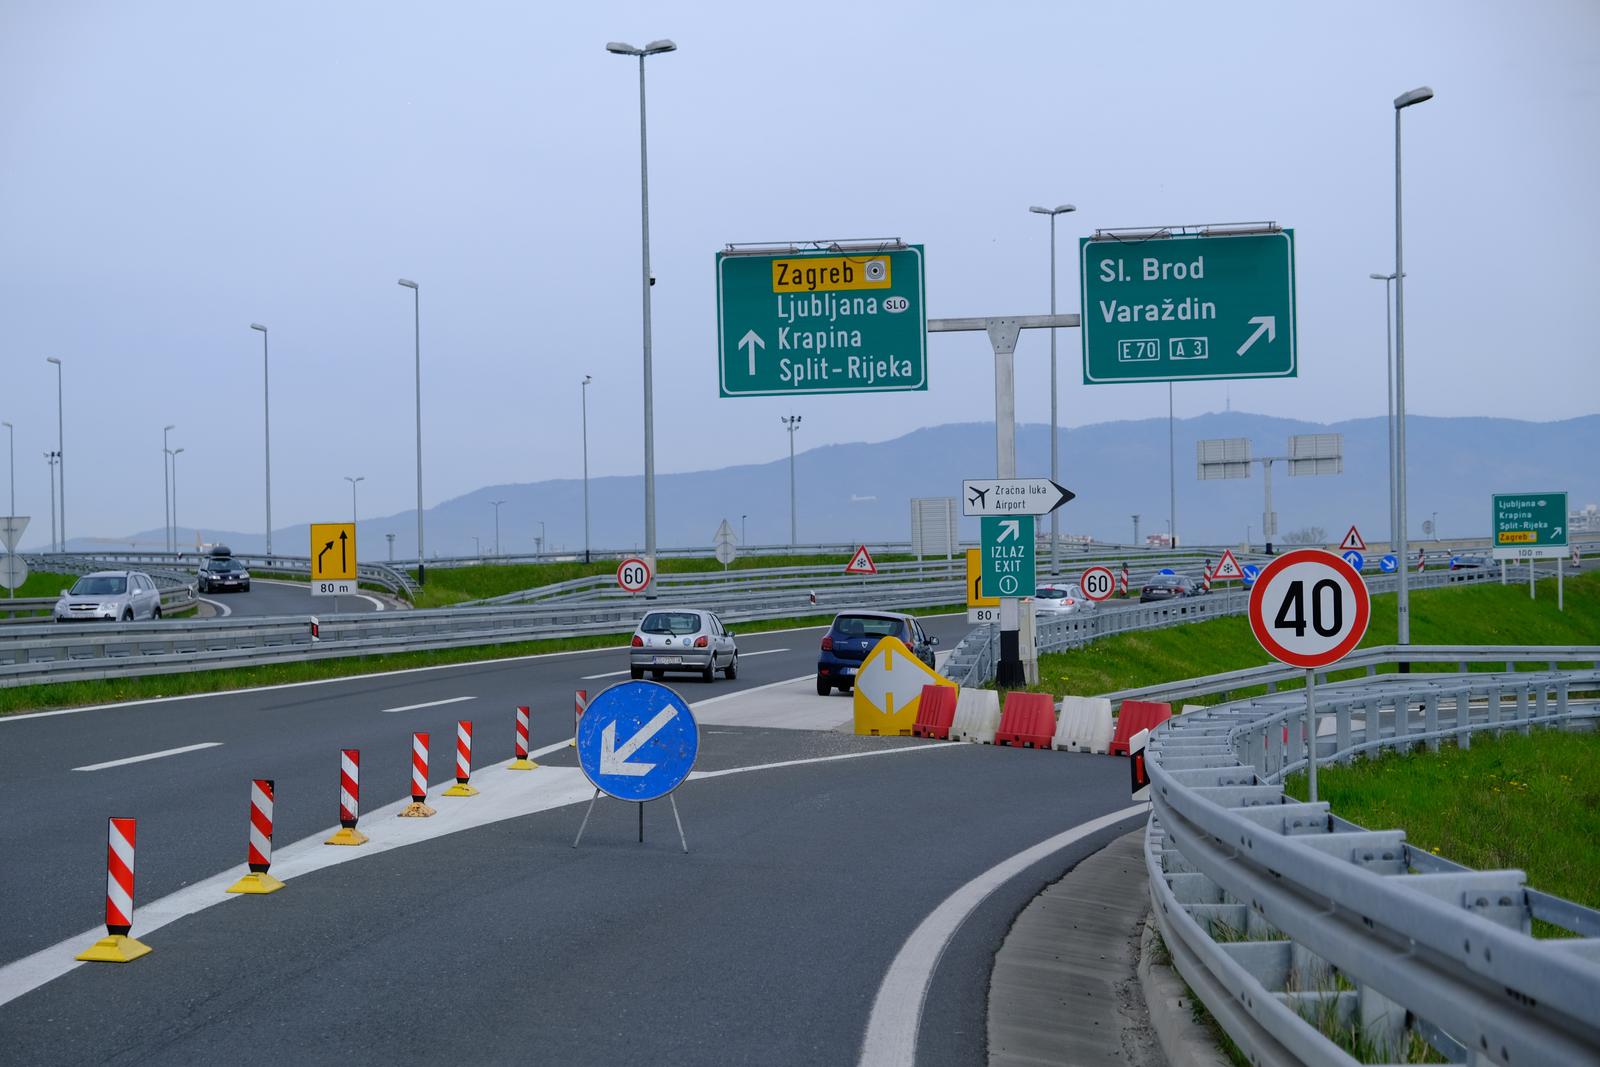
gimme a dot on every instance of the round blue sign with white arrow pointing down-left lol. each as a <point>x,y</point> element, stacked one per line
<point>638,741</point>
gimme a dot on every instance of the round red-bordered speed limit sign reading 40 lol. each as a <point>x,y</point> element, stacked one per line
<point>1310,609</point>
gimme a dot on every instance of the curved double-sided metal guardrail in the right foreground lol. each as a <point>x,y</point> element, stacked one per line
<point>1281,914</point>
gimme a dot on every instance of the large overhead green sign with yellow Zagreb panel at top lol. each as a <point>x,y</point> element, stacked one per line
<point>820,322</point>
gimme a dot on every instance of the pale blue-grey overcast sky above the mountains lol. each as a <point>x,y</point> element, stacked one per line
<point>174,172</point>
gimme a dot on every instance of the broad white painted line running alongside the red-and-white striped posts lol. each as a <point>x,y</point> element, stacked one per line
<point>503,796</point>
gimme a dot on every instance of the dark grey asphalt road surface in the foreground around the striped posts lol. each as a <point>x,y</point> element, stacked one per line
<point>500,941</point>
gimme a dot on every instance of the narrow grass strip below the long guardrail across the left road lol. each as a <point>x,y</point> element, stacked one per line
<point>30,698</point>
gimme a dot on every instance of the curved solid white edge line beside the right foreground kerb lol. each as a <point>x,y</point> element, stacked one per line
<point>897,1010</point>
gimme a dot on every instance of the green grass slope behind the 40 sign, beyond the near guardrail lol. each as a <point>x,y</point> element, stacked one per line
<point>1471,615</point>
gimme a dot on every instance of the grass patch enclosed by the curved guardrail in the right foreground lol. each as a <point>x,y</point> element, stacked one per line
<point>1522,802</point>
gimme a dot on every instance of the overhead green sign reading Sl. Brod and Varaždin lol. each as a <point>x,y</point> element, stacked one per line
<point>1162,310</point>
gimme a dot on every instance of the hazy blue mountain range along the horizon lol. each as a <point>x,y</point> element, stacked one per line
<point>862,494</point>
